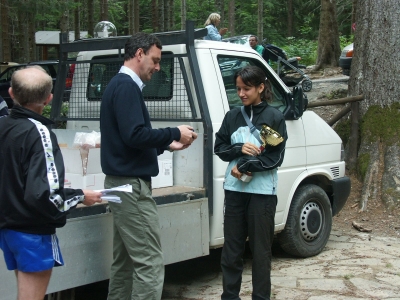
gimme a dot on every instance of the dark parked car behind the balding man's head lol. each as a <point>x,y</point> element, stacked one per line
<point>51,67</point>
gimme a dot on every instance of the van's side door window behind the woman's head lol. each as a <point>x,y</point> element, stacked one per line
<point>229,65</point>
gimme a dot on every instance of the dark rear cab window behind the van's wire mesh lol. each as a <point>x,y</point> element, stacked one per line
<point>105,68</point>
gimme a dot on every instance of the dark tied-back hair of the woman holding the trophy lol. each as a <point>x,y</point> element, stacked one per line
<point>254,76</point>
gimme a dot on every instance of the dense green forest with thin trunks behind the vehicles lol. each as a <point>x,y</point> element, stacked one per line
<point>290,24</point>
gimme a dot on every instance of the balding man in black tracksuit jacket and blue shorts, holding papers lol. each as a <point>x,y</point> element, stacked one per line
<point>33,200</point>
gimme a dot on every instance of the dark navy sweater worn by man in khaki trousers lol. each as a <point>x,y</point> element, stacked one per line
<point>129,146</point>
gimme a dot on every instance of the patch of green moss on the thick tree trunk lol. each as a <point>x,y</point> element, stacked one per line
<point>382,123</point>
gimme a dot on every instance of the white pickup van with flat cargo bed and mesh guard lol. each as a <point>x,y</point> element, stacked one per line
<point>195,86</point>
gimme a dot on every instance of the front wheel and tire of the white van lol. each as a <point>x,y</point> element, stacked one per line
<point>309,222</point>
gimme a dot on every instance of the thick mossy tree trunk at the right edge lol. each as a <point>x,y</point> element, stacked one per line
<point>375,73</point>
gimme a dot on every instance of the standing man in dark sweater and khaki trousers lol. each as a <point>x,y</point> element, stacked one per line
<point>129,150</point>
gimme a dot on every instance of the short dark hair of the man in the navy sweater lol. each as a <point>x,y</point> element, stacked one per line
<point>140,40</point>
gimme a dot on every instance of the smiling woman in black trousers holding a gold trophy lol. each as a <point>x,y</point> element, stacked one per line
<point>252,139</point>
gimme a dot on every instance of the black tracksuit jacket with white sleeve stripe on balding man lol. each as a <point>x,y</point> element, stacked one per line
<point>32,194</point>
